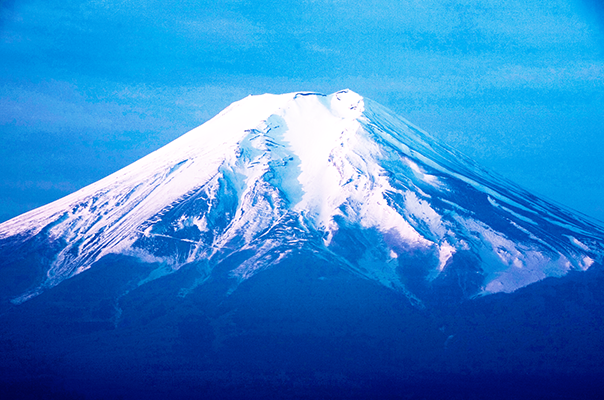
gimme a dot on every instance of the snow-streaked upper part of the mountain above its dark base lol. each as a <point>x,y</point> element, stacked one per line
<point>338,175</point>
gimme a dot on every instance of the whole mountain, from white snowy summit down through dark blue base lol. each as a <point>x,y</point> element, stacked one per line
<point>302,243</point>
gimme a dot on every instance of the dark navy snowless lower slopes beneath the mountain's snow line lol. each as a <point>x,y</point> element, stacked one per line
<point>299,331</point>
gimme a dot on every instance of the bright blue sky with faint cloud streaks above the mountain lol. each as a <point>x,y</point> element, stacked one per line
<point>88,86</point>
